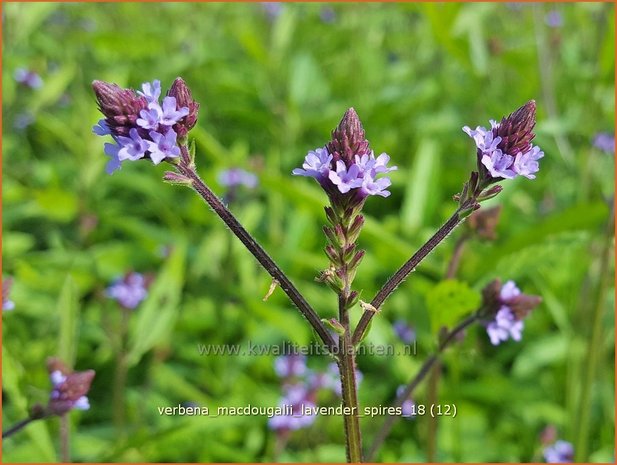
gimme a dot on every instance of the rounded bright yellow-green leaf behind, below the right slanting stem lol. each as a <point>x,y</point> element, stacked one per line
<point>449,301</point>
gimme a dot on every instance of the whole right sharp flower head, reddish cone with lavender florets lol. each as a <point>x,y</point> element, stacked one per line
<point>505,150</point>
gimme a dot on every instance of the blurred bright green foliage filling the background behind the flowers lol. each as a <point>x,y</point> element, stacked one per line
<point>272,86</point>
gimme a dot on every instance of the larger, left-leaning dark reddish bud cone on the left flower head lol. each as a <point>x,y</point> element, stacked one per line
<point>121,107</point>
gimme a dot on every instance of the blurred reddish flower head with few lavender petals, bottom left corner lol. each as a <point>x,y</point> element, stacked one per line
<point>69,388</point>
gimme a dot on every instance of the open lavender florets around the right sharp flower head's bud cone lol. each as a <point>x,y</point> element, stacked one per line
<point>502,158</point>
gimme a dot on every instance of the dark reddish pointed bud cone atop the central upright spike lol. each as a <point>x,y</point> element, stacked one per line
<point>348,139</point>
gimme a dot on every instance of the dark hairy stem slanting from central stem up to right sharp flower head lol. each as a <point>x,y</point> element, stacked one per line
<point>404,271</point>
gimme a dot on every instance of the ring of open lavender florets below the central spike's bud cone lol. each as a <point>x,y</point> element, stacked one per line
<point>359,174</point>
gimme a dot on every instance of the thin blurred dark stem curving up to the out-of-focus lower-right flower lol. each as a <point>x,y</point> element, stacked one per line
<point>424,370</point>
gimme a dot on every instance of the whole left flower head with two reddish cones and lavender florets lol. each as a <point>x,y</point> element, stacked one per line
<point>139,125</point>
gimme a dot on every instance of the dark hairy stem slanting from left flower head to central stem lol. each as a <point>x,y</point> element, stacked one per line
<point>258,252</point>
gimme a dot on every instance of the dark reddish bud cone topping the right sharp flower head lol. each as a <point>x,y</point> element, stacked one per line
<point>516,130</point>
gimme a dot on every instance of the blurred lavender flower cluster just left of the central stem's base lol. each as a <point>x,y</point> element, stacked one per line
<point>300,388</point>
